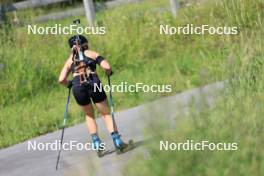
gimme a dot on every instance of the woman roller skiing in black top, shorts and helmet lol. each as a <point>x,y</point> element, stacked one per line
<point>82,63</point>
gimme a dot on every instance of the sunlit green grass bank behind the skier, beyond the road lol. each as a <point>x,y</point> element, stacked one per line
<point>32,102</point>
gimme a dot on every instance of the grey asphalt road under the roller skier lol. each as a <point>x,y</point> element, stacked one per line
<point>17,160</point>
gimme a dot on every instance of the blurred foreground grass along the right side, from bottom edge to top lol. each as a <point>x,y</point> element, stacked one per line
<point>236,118</point>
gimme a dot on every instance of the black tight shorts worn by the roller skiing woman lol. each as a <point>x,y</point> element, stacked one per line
<point>85,92</point>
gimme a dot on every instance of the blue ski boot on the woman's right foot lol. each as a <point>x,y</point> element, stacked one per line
<point>121,146</point>
